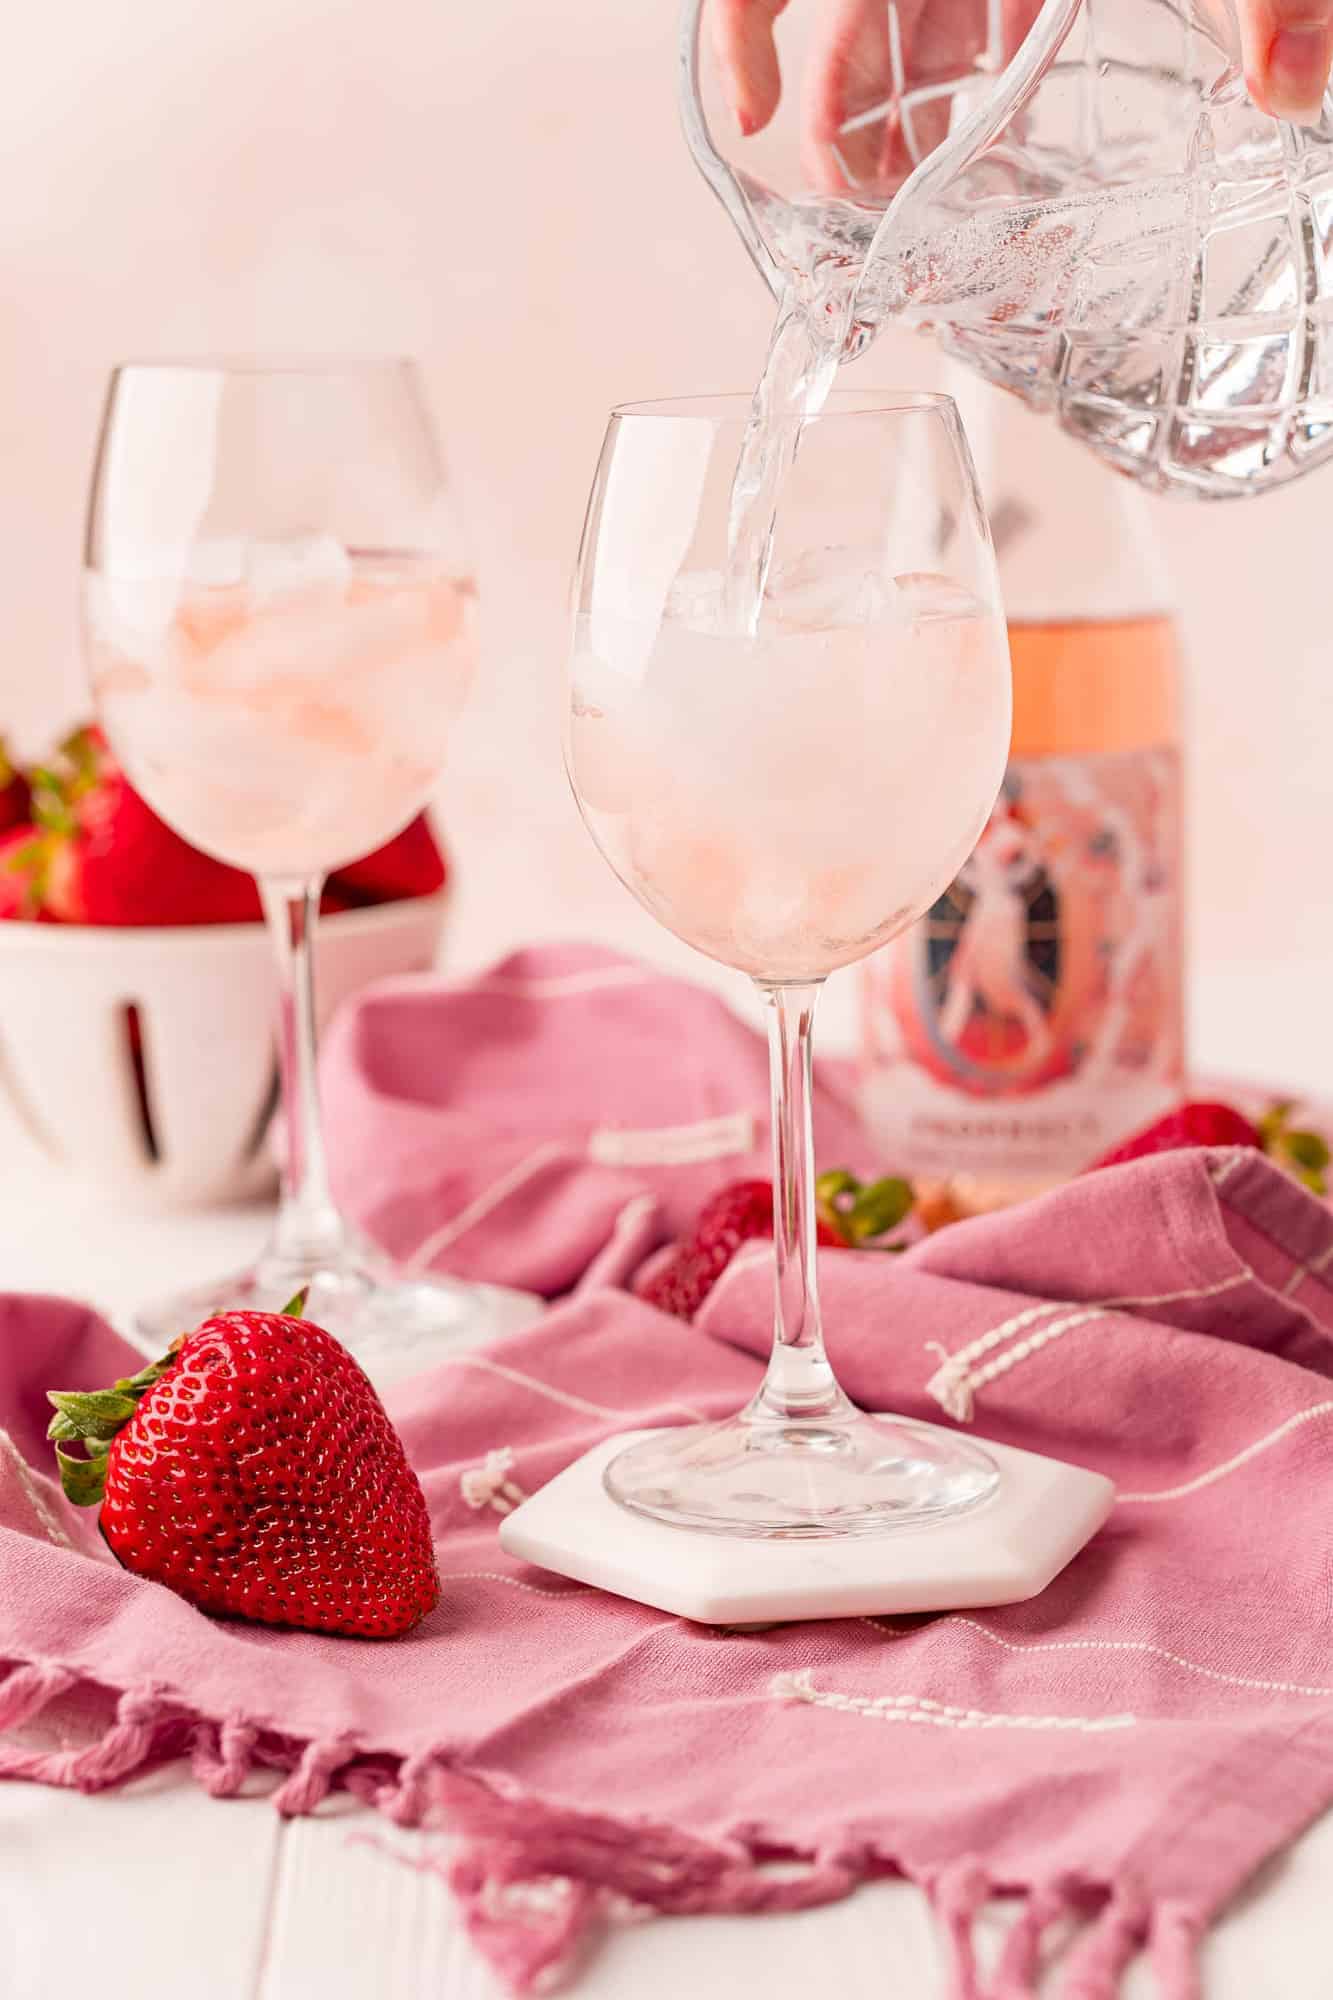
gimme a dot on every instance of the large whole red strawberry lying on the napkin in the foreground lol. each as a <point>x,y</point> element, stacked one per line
<point>253,1471</point>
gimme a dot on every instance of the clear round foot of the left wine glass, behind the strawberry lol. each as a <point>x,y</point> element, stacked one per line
<point>393,1325</point>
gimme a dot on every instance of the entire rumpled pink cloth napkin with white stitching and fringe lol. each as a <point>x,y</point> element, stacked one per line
<point>1118,1757</point>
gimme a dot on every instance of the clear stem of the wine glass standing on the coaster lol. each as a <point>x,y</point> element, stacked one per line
<point>800,1383</point>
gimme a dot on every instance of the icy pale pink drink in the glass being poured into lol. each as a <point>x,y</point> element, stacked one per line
<point>792,801</point>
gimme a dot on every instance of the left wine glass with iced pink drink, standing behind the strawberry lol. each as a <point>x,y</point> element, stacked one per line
<point>281,633</point>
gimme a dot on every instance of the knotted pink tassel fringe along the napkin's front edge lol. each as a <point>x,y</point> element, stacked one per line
<point>537,1881</point>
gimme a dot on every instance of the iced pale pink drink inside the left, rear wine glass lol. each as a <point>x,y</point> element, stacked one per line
<point>285,731</point>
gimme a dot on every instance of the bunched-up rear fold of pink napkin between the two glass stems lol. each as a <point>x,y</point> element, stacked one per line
<point>501,1127</point>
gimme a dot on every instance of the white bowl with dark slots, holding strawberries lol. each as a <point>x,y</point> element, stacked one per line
<point>205,1001</point>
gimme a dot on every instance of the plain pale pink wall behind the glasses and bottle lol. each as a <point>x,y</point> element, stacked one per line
<point>503,191</point>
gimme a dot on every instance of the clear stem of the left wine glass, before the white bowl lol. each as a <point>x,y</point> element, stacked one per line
<point>309,1231</point>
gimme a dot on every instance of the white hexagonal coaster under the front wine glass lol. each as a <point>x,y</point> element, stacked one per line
<point>1000,1553</point>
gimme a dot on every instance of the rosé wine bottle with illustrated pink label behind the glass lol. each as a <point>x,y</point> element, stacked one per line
<point>1036,1015</point>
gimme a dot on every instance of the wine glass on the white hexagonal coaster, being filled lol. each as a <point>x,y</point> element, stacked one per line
<point>788,785</point>
